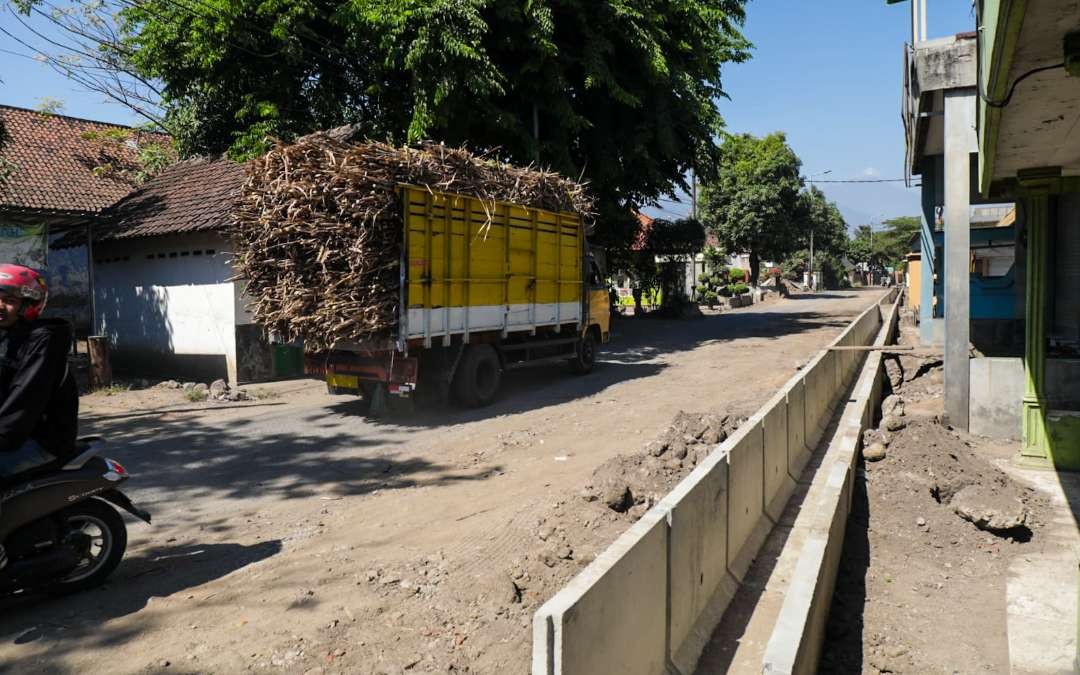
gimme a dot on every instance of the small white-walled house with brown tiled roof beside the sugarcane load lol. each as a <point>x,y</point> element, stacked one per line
<point>165,290</point>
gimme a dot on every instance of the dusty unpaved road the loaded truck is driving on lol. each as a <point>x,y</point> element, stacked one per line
<point>293,535</point>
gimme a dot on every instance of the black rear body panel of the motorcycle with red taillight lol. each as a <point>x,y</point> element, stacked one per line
<point>53,492</point>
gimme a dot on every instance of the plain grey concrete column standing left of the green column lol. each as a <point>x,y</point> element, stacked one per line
<point>960,143</point>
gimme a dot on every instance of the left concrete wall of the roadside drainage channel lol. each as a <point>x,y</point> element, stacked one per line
<point>652,601</point>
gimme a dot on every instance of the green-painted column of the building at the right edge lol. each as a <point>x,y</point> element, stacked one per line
<point>1037,223</point>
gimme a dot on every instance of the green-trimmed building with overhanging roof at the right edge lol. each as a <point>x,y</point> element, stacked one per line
<point>1029,128</point>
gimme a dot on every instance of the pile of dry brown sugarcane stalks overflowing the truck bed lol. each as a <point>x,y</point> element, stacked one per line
<point>318,232</point>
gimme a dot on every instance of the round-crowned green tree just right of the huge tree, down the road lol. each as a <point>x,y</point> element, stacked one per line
<point>753,202</point>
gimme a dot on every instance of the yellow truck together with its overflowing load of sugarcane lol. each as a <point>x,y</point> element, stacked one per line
<point>428,267</point>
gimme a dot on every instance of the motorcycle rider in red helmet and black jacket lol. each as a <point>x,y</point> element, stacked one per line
<point>39,399</point>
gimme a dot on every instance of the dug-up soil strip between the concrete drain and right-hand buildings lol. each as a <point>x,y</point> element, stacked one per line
<point>921,589</point>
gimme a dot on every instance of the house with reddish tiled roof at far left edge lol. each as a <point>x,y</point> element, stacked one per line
<point>58,173</point>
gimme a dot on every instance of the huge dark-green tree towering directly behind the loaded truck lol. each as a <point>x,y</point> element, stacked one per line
<point>623,93</point>
